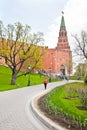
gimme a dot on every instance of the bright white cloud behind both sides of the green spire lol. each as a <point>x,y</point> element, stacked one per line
<point>75,14</point>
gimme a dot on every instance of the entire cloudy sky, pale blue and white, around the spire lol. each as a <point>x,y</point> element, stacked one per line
<point>45,16</point>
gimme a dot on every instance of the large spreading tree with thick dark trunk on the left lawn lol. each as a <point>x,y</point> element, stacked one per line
<point>18,45</point>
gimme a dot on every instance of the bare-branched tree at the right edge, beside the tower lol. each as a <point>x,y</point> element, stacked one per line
<point>81,45</point>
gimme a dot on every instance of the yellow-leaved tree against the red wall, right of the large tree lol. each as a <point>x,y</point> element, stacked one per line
<point>36,61</point>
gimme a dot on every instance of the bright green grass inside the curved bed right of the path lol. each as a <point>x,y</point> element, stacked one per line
<point>57,102</point>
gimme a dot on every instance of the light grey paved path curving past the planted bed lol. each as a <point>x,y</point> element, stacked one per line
<point>15,110</point>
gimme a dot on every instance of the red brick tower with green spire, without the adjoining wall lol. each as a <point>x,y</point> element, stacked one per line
<point>64,53</point>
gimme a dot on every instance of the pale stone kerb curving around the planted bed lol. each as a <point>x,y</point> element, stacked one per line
<point>40,115</point>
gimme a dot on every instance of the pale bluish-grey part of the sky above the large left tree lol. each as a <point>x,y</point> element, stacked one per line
<point>39,14</point>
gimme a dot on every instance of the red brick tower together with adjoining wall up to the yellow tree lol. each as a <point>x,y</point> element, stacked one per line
<point>59,60</point>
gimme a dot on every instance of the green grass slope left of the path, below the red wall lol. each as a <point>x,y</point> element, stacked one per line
<point>5,79</point>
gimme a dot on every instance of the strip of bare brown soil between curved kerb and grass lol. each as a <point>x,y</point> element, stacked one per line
<point>60,119</point>
